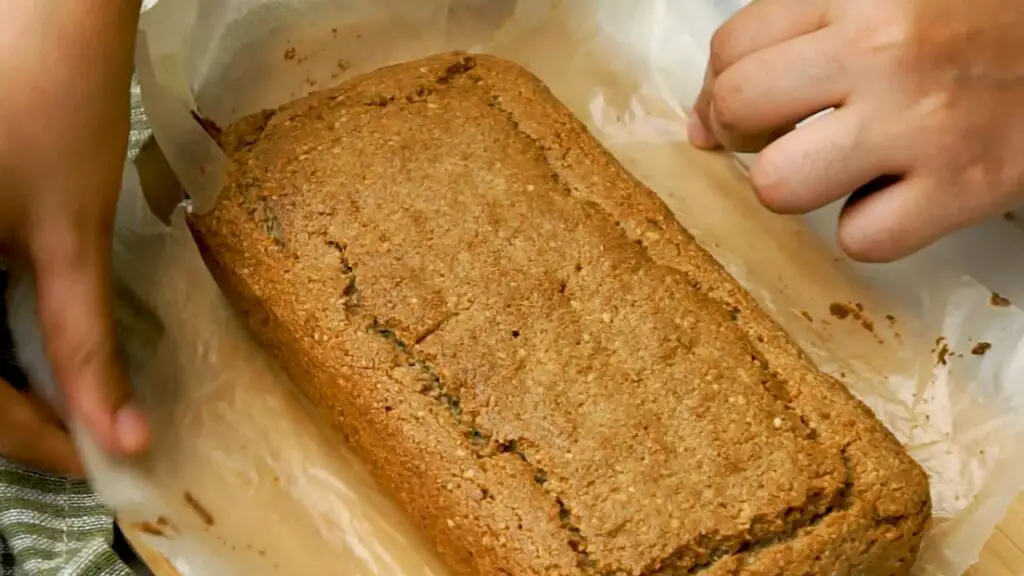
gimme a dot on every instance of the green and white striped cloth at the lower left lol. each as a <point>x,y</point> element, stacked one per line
<point>53,526</point>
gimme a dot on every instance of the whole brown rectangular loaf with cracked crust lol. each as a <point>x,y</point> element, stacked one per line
<point>540,364</point>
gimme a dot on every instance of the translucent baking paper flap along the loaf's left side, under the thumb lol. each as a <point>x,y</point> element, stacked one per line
<point>240,481</point>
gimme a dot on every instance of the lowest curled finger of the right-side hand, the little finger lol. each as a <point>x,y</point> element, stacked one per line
<point>904,219</point>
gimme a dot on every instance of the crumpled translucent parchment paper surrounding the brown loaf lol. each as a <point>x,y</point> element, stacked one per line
<point>901,337</point>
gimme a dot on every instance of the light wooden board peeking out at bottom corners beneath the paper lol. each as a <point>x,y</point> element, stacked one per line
<point>1003,557</point>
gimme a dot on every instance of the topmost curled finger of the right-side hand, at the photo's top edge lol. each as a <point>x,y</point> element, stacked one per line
<point>763,24</point>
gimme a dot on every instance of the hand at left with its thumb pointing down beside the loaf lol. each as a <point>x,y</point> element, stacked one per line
<point>64,129</point>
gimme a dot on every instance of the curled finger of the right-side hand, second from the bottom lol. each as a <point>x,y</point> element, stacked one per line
<point>824,161</point>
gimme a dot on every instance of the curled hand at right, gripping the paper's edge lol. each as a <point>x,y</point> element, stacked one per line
<point>928,132</point>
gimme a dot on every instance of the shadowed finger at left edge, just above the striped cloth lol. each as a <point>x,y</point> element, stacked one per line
<point>30,438</point>
